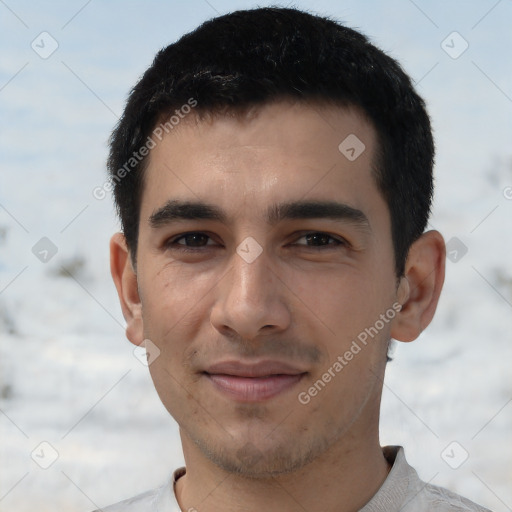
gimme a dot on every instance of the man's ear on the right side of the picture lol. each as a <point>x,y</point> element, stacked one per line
<point>420,287</point>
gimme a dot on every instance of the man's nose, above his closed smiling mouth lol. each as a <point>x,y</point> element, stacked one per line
<point>250,301</point>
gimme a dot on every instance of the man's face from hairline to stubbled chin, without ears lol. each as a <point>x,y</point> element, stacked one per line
<point>265,271</point>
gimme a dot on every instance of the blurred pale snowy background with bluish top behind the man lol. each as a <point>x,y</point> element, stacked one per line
<point>69,378</point>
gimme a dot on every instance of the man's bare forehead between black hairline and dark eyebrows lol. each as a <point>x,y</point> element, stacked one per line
<point>277,153</point>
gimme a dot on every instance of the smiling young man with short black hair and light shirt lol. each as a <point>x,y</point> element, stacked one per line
<point>273,175</point>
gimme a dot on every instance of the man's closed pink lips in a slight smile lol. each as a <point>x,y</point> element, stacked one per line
<point>253,382</point>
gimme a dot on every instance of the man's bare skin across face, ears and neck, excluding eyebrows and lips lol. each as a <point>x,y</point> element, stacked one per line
<point>297,302</point>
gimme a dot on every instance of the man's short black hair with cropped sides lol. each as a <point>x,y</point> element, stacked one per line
<point>258,56</point>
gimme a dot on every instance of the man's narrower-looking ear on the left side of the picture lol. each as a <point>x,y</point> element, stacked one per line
<point>125,279</point>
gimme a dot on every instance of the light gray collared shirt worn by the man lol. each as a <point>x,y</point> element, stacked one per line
<point>402,491</point>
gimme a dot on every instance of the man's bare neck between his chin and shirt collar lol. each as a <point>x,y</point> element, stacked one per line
<point>342,479</point>
